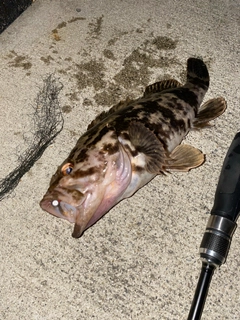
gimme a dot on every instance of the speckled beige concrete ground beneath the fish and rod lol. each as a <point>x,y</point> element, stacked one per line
<point>141,260</point>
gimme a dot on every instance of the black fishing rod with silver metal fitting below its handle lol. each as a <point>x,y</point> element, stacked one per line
<point>221,225</point>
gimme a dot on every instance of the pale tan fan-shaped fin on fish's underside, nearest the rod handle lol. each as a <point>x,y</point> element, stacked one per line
<point>184,157</point>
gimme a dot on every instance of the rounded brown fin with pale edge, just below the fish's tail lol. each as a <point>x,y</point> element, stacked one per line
<point>208,111</point>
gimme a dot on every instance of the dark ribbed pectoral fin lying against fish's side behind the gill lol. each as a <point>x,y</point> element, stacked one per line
<point>146,142</point>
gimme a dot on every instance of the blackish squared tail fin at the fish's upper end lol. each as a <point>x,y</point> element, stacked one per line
<point>197,72</point>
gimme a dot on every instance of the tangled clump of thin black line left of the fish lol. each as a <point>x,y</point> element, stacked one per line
<point>48,122</point>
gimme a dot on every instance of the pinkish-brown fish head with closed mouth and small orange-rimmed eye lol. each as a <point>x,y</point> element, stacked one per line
<point>82,192</point>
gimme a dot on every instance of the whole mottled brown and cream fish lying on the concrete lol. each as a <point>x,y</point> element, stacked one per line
<point>126,147</point>
